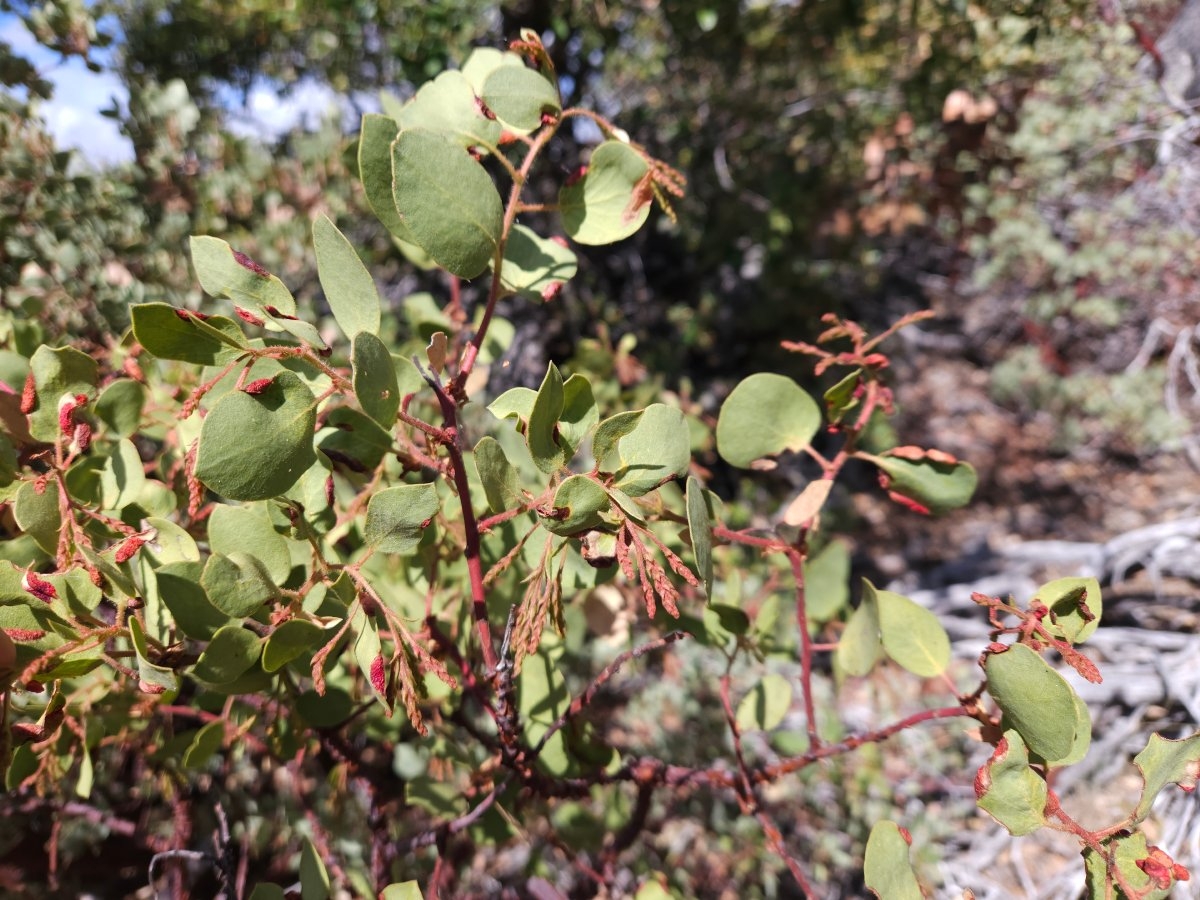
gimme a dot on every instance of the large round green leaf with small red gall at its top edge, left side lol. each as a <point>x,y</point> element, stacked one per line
<point>281,419</point>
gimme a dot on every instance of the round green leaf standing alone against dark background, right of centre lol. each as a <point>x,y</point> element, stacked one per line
<point>765,416</point>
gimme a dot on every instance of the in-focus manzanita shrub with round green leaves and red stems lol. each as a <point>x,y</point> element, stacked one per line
<point>242,535</point>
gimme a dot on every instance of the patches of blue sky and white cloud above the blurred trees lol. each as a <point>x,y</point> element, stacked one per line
<point>74,117</point>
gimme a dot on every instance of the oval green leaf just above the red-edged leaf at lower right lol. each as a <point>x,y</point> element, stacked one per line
<point>1035,700</point>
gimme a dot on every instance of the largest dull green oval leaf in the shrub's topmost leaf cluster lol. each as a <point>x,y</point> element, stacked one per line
<point>448,202</point>
